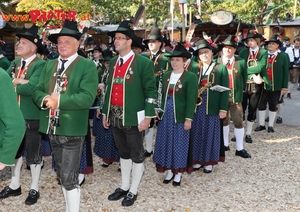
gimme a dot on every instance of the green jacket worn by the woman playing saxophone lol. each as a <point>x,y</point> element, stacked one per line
<point>216,101</point>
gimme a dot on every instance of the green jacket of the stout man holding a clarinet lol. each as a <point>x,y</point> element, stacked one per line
<point>74,101</point>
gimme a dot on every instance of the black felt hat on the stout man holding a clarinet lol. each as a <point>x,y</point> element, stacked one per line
<point>69,28</point>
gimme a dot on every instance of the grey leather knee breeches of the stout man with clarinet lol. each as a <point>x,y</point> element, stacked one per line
<point>67,155</point>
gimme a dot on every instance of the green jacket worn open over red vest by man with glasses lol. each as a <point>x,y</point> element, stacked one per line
<point>138,85</point>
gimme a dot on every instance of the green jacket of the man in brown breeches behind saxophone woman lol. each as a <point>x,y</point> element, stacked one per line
<point>239,77</point>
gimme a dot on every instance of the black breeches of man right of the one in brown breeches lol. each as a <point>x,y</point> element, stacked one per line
<point>251,98</point>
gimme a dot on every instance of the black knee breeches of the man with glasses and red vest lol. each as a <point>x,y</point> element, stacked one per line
<point>128,140</point>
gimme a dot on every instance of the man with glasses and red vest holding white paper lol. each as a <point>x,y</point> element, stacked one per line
<point>130,89</point>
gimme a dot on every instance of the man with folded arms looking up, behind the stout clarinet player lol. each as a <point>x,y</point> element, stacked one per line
<point>25,72</point>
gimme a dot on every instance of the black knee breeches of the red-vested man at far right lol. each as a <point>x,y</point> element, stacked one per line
<point>271,98</point>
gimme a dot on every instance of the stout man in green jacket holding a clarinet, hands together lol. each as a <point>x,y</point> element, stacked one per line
<point>65,92</point>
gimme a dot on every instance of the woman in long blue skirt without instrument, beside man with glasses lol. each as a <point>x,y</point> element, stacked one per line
<point>179,95</point>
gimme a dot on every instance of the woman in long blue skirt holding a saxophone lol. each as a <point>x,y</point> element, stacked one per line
<point>211,107</point>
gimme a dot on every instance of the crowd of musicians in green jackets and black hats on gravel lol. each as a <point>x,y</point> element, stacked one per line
<point>188,92</point>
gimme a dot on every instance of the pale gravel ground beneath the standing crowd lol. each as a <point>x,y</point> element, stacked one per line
<point>269,181</point>
